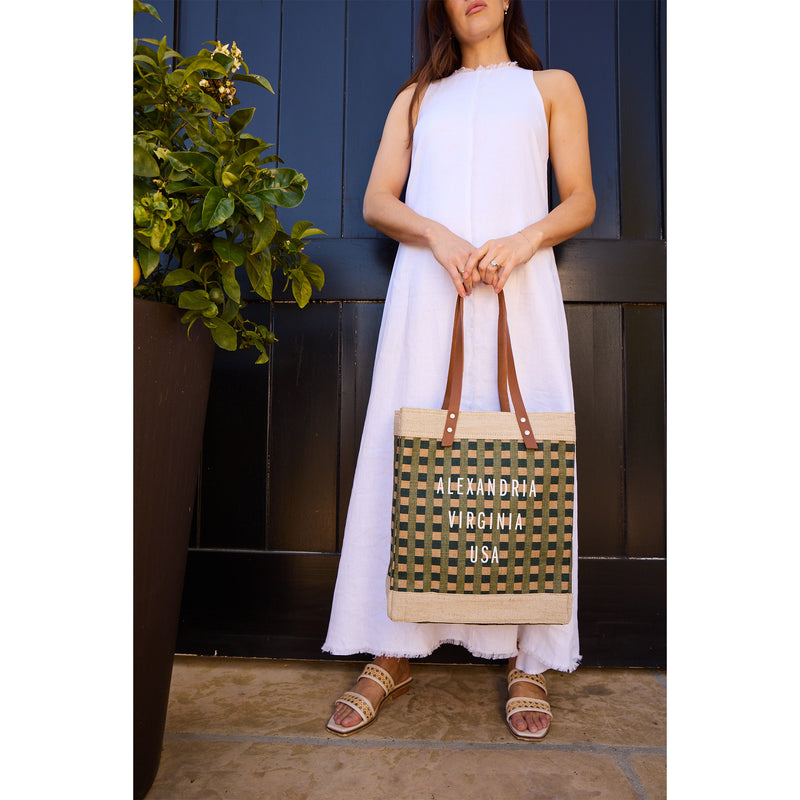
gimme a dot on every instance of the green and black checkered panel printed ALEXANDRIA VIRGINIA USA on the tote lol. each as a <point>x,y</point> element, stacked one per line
<point>483,517</point>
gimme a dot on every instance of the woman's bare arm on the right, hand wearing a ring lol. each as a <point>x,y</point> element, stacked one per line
<point>569,156</point>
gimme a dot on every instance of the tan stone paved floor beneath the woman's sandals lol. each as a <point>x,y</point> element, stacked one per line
<point>254,729</point>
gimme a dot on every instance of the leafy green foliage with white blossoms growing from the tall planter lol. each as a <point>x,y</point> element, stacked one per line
<point>205,192</point>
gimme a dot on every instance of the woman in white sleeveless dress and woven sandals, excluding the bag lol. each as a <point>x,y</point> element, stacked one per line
<point>472,130</point>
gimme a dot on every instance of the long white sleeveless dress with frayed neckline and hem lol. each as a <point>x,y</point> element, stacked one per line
<point>478,166</point>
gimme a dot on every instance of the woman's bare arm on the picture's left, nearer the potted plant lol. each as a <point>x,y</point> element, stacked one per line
<point>384,210</point>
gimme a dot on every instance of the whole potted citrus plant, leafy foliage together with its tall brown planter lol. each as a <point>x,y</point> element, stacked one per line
<point>206,238</point>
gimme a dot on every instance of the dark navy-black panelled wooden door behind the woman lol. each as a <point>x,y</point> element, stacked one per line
<point>281,440</point>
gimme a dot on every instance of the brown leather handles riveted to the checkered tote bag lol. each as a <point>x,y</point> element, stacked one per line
<point>506,376</point>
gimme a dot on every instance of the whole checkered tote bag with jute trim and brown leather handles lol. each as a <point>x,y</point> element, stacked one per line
<point>482,507</point>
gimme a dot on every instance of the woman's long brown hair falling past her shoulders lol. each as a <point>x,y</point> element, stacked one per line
<point>439,53</point>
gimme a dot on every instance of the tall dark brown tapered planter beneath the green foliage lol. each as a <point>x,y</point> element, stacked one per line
<point>171,376</point>
